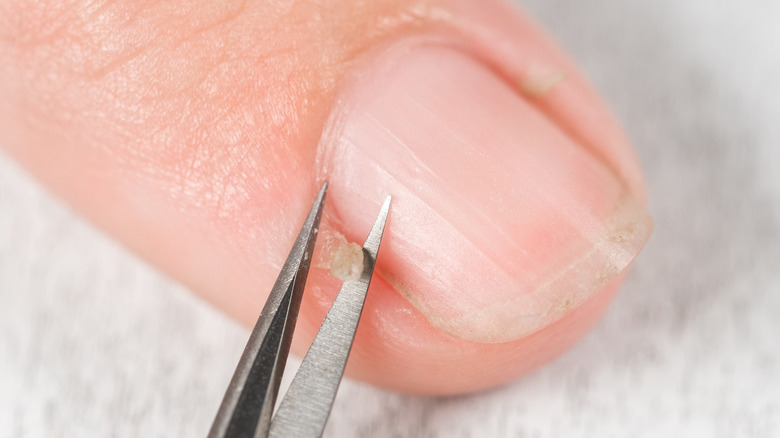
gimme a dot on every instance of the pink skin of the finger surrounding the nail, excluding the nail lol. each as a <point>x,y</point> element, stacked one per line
<point>190,133</point>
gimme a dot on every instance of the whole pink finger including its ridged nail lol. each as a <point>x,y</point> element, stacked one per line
<point>198,137</point>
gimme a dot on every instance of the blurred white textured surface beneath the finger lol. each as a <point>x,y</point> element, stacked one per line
<point>95,343</point>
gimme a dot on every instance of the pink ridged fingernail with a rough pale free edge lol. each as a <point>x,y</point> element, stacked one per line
<point>501,223</point>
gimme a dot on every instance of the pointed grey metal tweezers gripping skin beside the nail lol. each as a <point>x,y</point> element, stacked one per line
<point>248,405</point>
